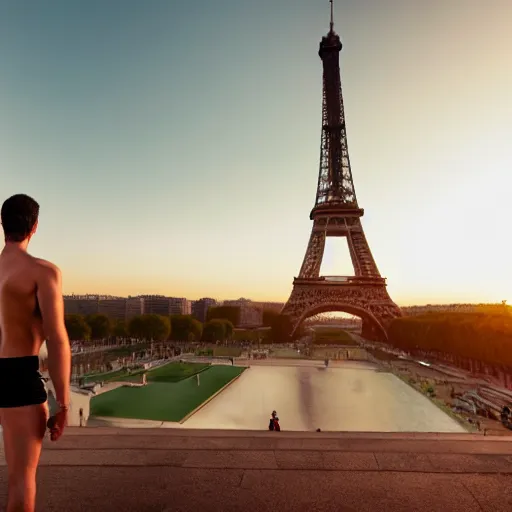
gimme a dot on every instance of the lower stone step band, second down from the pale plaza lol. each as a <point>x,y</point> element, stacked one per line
<point>313,460</point>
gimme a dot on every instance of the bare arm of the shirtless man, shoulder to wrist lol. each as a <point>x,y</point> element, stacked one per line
<point>51,303</point>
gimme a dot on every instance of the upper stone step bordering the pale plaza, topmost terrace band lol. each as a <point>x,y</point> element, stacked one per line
<point>171,439</point>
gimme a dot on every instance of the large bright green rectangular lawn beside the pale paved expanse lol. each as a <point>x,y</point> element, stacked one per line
<point>163,401</point>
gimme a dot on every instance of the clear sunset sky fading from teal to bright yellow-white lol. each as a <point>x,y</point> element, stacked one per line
<point>174,146</point>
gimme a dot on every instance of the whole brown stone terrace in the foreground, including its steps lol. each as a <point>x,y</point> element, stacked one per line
<point>190,470</point>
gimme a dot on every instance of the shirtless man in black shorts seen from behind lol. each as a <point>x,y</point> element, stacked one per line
<point>31,310</point>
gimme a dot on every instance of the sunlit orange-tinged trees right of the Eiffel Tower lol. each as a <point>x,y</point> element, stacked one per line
<point>480,336</point>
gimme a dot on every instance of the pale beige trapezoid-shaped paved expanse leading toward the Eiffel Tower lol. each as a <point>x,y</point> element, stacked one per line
<point>344,397</point>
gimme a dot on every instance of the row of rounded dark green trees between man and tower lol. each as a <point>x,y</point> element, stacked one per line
<point>148,327</point>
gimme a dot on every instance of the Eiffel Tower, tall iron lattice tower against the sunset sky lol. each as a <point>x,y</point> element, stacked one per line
<point>337,214</point>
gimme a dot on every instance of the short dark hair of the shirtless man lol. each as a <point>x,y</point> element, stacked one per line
<point>19,216</point>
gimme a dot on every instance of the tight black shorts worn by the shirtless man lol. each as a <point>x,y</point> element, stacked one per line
<point>21,383</point>
